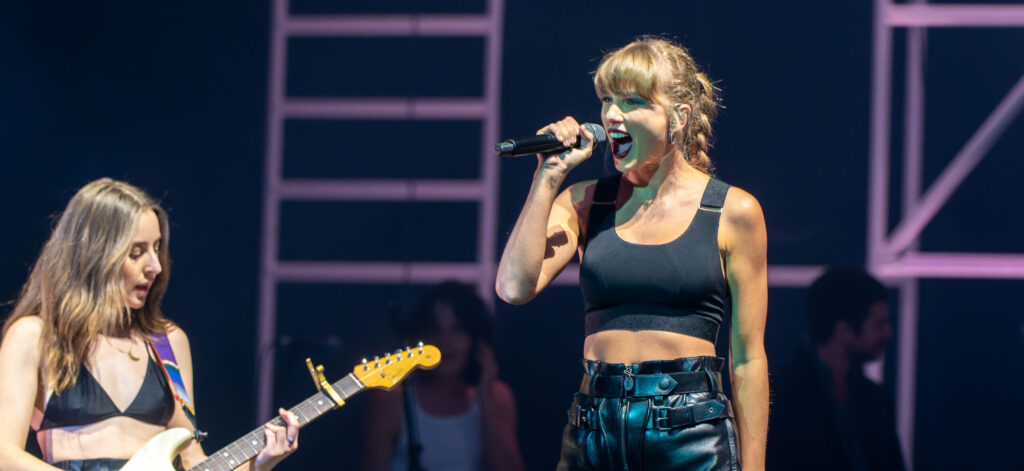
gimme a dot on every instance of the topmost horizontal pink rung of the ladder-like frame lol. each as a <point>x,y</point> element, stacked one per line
<point>389,25</point>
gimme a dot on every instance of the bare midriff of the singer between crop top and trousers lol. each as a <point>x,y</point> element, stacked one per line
<point>635,348</point>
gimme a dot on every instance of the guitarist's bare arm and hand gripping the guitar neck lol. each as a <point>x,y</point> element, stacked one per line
<point>278,447</point>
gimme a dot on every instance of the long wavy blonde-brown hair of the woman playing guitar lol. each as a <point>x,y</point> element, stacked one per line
<point>77,285</point>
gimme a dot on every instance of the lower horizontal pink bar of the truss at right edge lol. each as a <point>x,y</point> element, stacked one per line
<point>955,266</point>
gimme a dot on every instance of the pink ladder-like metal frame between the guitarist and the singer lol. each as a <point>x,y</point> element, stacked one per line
<point>281,108</point>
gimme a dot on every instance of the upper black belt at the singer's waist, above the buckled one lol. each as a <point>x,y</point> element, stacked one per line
<point>649,386</point>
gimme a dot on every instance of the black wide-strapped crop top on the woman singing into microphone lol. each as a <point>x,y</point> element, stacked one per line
<point>675,287</point>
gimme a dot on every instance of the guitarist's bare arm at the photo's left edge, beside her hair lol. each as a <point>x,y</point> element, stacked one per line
<point>20,360</point>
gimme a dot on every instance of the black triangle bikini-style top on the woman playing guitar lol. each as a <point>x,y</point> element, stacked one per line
<point>88,403</point>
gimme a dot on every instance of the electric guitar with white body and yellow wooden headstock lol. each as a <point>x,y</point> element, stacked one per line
<point>385,373</point>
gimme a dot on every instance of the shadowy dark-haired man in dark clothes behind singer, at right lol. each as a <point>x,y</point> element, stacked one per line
<point>827,414</point>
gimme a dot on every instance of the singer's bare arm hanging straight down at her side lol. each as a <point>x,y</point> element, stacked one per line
<point>745,243</point>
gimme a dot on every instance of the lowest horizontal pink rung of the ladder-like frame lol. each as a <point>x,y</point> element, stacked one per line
<point>374,273</point>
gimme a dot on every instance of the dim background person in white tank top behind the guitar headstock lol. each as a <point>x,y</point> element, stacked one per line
<point>465,417</point>
